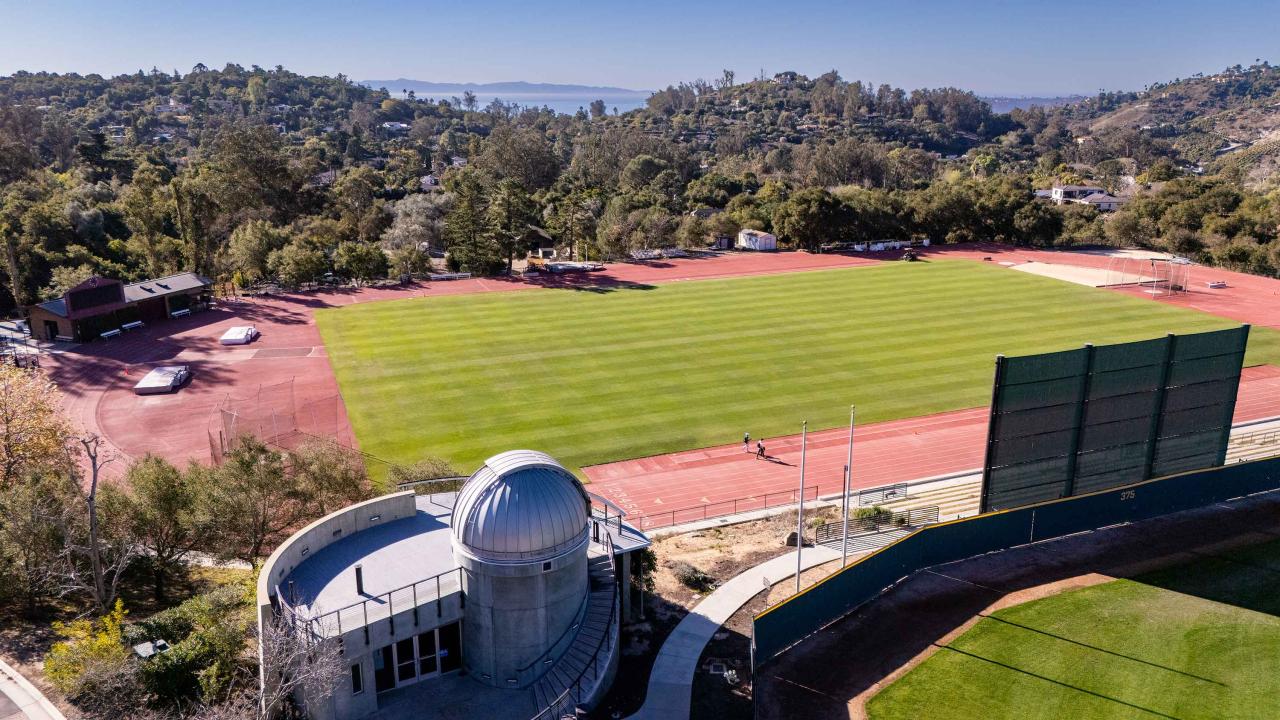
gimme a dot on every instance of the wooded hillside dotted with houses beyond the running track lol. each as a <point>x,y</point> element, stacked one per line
<point>260,175</point>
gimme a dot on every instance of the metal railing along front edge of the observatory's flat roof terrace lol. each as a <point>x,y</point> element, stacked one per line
<point>383,607</point>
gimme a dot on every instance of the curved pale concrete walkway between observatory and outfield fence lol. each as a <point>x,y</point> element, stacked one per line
<point>671,683</point>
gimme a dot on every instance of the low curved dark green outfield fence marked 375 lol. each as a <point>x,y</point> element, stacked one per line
<point>793,621</point>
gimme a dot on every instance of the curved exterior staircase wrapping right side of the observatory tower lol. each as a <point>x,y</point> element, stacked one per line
<point>582,660</point>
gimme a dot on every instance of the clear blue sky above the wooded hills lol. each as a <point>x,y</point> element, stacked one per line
<point>991,47</point>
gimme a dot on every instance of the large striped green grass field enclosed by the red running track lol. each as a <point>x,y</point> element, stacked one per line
<point>600,376</point>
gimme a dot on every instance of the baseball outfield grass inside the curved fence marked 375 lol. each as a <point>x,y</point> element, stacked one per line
<point>1201,642</point>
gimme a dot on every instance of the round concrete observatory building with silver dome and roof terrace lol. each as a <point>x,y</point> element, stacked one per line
<point>504,599</point>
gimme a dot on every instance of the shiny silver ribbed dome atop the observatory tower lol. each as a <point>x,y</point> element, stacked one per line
<point>520,507</point>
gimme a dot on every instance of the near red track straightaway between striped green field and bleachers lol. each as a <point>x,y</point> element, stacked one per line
<point>688,486</point>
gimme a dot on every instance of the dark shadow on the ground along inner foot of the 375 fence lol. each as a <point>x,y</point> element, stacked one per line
<point>856,655</point>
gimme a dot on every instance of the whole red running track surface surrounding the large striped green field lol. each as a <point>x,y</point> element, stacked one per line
<point>97,380</point>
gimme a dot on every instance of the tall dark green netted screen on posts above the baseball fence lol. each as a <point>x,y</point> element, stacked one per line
<point>1081,421</point>
